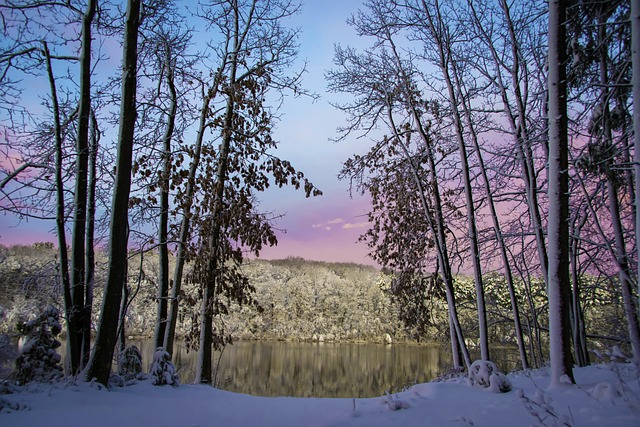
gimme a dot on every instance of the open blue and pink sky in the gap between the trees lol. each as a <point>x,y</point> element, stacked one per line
<point>323,228</point>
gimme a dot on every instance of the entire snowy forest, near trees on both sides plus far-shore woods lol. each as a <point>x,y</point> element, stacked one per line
<point>501,142</point>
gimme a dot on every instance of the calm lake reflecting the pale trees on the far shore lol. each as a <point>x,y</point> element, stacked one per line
<point>265,368</point>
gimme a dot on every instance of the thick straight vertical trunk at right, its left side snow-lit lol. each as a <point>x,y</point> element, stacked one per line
<point>559,285</point>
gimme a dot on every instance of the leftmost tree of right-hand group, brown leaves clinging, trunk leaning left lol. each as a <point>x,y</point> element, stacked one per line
<point>383,89</point>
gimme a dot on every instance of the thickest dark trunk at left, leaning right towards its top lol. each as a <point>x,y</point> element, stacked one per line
<point>101,357</point>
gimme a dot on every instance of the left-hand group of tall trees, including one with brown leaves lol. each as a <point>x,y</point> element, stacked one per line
<point>203,189</point>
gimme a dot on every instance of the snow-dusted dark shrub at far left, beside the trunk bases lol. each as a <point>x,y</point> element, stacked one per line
<point>38,359</point>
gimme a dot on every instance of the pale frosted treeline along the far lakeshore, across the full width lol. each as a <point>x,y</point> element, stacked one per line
<point>302,300</point>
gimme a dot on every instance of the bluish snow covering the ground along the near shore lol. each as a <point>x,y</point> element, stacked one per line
<point>605,395</point>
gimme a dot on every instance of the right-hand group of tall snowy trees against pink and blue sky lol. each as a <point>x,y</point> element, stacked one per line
<point>501,142</point>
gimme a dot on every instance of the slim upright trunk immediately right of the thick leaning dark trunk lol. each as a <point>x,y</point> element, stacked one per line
<point>163,274</point>
